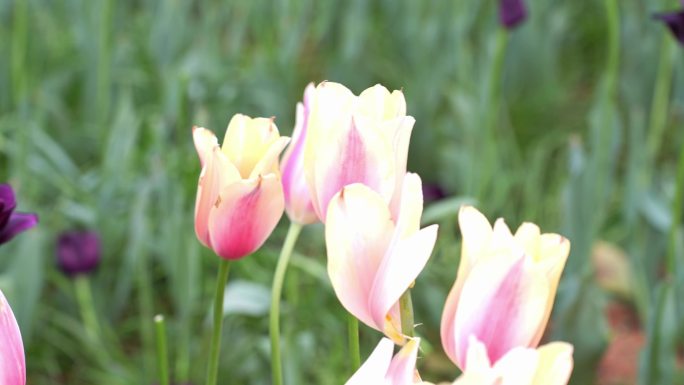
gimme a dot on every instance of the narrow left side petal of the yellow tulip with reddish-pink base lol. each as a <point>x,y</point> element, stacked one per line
<point>216,173</point>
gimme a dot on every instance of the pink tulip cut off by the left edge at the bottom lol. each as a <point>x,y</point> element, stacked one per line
<point>12,361</point>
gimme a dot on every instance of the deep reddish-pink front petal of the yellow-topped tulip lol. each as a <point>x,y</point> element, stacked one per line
<point>244,215</point>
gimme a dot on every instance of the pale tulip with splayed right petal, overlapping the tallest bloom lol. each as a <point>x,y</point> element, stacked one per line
<point>373,259</point>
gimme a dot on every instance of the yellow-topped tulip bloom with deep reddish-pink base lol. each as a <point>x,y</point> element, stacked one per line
<point>239,196</point>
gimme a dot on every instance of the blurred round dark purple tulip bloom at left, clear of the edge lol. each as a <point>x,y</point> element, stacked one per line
<point>78,252</point>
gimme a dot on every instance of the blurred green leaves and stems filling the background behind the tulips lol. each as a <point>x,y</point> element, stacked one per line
<point>572,121</point>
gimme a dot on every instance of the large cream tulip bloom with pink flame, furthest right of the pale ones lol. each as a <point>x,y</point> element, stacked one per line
<point>505,287</point>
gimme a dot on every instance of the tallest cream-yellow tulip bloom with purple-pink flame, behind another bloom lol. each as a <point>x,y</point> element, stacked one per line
<point>356,139</point>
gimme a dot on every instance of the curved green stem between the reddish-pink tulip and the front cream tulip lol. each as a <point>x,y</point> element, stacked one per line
<point>278,279</point>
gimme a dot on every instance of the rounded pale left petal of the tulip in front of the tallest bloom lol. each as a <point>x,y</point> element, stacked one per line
<point>358,232</point>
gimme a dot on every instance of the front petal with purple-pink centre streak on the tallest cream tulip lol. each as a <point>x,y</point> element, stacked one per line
<point>355,155</point>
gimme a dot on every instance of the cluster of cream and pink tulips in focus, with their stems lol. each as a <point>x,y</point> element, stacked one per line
<point>346,167</point>
